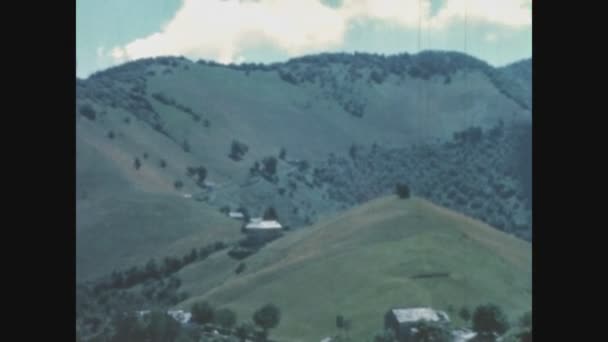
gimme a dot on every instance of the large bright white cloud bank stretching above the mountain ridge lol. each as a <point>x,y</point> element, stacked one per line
<point>223,29</point>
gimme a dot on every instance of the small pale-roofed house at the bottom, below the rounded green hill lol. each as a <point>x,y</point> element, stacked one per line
<point>403,321</point>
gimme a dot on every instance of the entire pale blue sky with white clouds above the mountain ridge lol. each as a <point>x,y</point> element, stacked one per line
<point>111,32</point>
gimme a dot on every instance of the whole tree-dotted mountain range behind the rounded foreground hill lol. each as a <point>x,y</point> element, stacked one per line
<point>164,143</point>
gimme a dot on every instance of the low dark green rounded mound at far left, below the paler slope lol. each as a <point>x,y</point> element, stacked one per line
<point>134,228</point>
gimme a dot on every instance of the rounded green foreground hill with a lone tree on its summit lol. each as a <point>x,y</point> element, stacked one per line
<point>366,260</point>
